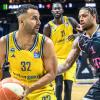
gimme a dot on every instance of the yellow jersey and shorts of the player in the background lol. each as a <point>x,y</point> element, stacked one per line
<point>59,36</point>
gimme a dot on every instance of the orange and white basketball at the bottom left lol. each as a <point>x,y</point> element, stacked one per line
<point>11,89</point>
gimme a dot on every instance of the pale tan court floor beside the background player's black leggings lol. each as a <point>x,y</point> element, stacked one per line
<point>80,88</point>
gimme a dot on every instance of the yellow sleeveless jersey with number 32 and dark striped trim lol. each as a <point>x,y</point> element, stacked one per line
<point>27,65</point>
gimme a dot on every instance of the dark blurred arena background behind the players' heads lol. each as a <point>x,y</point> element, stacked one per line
<point>8,20</point>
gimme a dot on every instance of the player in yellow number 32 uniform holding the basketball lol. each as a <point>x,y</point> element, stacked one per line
<point>31,55</point>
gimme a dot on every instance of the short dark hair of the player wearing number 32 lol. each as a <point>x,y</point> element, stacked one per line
<point>24,8</point>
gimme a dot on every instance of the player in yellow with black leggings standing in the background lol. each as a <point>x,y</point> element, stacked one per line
<point>60,30</point>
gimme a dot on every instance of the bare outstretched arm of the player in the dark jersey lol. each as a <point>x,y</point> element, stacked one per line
<point>72,56</point>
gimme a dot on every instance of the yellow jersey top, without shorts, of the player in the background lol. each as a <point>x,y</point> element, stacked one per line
<point>59,36</point>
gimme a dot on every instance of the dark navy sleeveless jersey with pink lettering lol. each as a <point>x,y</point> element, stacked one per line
<point>91,46</point>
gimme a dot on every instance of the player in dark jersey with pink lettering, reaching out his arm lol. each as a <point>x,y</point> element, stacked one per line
<point>88,42</point>
